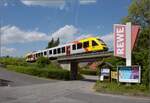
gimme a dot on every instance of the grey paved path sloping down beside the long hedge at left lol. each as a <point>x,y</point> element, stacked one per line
<point>19,79</point>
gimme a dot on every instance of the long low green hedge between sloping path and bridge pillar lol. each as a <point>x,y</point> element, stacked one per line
<point>47,73</point>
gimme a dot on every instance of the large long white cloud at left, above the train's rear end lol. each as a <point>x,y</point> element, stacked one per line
<point>13,34</point>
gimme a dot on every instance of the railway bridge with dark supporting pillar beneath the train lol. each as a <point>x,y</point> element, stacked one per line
<point>72,61</point>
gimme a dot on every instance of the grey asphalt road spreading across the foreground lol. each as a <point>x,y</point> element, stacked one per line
<point>51,91</point>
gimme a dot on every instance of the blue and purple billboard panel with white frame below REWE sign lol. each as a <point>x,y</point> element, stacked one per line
<point>129,74</point>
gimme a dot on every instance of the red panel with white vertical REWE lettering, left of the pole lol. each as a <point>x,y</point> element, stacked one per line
<point>120,40</point>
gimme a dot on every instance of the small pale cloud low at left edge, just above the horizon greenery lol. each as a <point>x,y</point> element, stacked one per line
<point>7,51</point>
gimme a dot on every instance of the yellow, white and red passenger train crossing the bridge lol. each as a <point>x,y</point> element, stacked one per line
<point>86,45</point>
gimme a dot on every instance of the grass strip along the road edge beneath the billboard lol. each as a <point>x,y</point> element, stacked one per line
<point>123,89</point>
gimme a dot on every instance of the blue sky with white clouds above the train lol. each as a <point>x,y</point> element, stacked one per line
<point>28,25</point>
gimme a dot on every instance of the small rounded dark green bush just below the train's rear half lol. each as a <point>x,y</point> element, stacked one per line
<point>42,62</point>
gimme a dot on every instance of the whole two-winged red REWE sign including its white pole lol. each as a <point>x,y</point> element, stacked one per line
<point>124,40</point>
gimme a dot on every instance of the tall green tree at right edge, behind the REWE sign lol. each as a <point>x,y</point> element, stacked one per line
<point>139,13</point>
